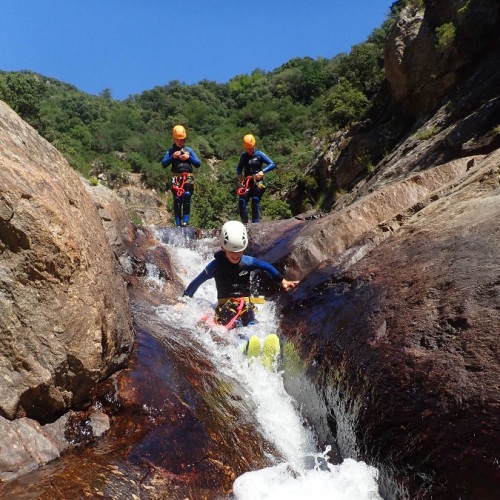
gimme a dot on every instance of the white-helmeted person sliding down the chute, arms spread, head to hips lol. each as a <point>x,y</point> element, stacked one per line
<point>231,270</point>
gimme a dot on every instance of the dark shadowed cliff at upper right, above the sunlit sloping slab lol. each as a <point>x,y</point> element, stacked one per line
<point>440,102</point>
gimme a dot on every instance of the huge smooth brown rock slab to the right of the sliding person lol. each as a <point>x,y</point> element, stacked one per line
<point>397,328</point>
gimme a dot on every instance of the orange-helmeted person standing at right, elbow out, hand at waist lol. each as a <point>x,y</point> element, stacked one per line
<point>251,168</point>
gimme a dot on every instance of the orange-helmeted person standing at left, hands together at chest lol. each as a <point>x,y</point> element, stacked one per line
<point>183,159</point>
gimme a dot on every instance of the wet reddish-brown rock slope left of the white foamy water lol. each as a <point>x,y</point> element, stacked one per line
<point>178,428</point>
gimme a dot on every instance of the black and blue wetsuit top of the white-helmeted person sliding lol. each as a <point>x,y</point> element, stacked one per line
<point>231,280</point>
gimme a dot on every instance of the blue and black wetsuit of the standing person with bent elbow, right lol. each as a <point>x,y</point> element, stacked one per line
<point>251,165</point>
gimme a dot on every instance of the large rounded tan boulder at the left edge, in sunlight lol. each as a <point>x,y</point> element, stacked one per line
<point>64,312</point>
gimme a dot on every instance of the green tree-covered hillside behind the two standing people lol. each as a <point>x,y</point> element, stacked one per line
<point>283,108</point>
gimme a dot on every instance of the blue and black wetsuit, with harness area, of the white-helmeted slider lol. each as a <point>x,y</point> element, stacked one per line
<point>232,281</point>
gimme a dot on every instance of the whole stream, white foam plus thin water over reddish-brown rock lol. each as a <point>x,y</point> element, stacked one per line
<point>190,412</point>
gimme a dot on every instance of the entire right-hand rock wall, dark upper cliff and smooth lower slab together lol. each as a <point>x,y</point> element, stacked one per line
<point>396,318</point>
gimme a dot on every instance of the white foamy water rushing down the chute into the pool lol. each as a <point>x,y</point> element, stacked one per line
<point>302,470</point>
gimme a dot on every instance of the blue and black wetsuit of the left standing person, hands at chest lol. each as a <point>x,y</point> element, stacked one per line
<point>181,203</point>
